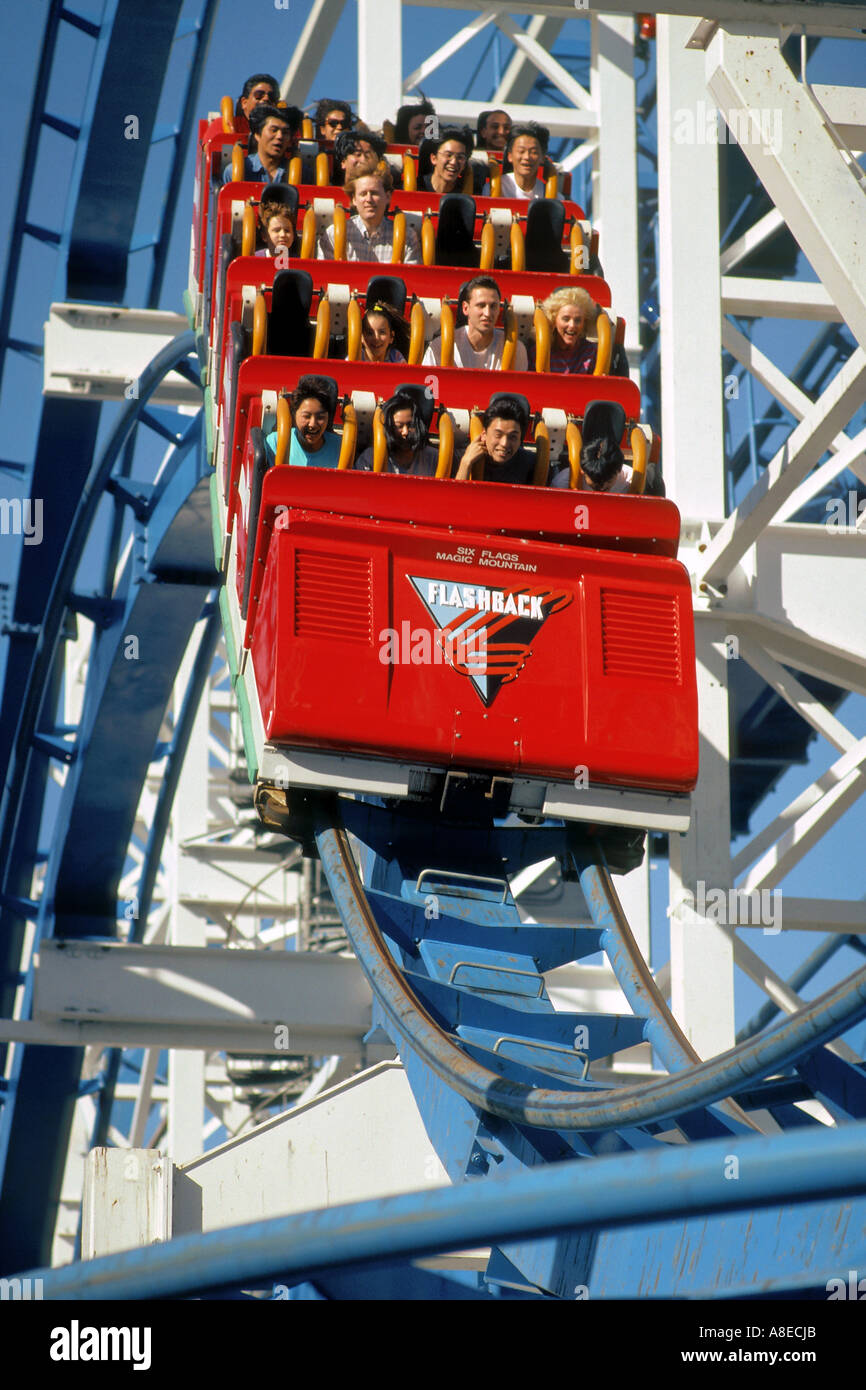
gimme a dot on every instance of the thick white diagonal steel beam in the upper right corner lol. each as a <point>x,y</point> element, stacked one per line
<point>803,170</point>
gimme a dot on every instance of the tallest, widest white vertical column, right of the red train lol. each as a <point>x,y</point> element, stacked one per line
<point>703,961</point>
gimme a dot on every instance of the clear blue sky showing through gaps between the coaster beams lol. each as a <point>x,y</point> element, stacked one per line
<point>252,38</point>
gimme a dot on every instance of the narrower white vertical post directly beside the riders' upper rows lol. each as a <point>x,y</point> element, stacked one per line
<point>615,177</point>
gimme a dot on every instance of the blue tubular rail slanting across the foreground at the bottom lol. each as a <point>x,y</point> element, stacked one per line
<point>583,1196</point>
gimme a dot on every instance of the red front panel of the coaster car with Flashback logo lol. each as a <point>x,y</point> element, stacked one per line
<point>461,650</point>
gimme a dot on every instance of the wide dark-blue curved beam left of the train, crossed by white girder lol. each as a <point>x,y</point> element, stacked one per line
<point>126,704</point>
